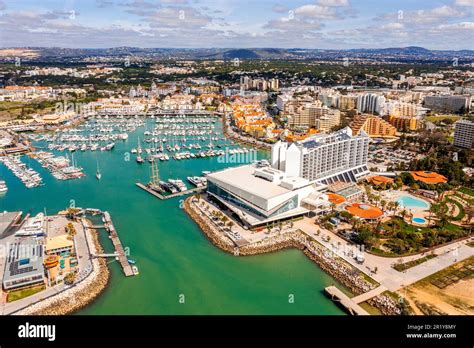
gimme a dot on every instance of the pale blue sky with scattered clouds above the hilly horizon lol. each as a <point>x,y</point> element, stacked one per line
<point>324,24</point>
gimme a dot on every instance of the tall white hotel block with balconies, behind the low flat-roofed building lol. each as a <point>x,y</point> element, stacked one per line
<point>324,158</point>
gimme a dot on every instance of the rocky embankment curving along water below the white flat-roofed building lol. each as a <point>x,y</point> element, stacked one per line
<point>351,278</point>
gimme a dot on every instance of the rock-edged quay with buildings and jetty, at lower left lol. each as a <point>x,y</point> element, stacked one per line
<point>53,259</point>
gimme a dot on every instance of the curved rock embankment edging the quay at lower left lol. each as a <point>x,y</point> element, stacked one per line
<point>79,295</point>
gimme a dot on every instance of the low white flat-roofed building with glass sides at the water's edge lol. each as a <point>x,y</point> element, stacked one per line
<point>259,195</point>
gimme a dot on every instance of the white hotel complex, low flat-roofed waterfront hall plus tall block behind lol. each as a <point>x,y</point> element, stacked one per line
<point>296,181</point>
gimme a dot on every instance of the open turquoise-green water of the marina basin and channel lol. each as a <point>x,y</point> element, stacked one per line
<point>173,256</point>
